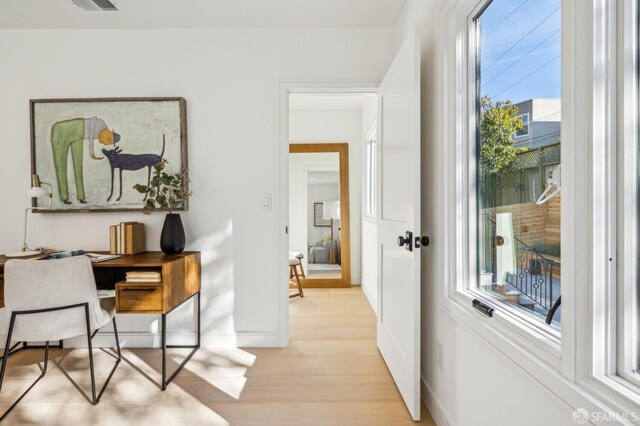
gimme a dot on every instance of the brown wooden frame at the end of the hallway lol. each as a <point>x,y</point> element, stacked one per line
<point>345,217</point>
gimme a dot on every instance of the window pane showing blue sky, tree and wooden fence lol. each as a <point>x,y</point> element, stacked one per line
<point>518,155</point>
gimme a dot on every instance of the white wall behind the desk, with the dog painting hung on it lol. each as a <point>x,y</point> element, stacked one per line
<point>230,79</point>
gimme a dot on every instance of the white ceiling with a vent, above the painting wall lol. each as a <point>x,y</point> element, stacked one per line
<point>161,14</point>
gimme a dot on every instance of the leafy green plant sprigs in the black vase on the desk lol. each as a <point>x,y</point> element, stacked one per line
<point>166,191</point>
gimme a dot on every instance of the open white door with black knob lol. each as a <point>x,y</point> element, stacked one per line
<point>399,207</point>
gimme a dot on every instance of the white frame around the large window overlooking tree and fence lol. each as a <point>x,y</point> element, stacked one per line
<point>577,368</point>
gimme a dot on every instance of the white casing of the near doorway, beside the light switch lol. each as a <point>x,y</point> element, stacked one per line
<point>282,271</point>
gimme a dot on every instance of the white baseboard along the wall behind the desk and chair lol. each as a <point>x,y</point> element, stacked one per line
<point>153,340</point>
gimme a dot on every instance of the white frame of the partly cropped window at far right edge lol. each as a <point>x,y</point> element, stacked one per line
<point>615,138</point>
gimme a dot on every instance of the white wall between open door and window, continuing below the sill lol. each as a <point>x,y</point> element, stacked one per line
<point>477,384</point>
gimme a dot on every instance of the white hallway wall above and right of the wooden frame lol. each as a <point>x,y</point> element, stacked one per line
<point>329,125</point>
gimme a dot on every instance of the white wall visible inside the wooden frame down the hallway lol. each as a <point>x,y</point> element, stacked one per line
<point>299,164</point>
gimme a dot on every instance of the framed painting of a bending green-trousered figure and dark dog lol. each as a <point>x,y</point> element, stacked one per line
<point>93,151</point>
